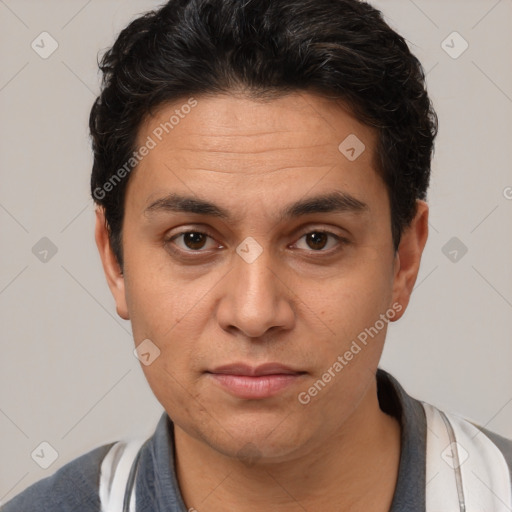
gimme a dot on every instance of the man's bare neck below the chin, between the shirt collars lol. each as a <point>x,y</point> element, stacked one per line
<point>334,475</point>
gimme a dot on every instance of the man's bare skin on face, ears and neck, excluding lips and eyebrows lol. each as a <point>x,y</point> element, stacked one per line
<point>297,304</point>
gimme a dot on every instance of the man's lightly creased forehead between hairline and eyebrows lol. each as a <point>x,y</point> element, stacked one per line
<point>235,146</point>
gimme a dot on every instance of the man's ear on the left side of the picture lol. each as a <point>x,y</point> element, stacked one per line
<point>113,273</point>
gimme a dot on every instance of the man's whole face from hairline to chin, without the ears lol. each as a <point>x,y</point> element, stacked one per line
<point>274,279</point>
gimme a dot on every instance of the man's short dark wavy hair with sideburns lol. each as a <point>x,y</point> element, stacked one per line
<point>339,49</point>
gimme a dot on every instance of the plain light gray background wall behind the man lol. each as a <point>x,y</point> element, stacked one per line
<point>68,376</point>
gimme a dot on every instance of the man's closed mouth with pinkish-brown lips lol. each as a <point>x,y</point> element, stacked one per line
<point>255,383</point>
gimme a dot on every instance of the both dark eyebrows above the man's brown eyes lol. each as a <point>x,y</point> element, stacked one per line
<point>333,202</point>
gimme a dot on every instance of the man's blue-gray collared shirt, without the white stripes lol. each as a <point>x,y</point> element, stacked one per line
<point>75,486</point>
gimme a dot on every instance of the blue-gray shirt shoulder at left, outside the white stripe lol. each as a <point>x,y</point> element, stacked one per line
<point>73,487</point>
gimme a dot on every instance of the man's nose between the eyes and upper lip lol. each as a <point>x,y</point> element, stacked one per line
<point>255,298</point>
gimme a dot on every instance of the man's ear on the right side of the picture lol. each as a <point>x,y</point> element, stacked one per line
<point>408,257</point>
